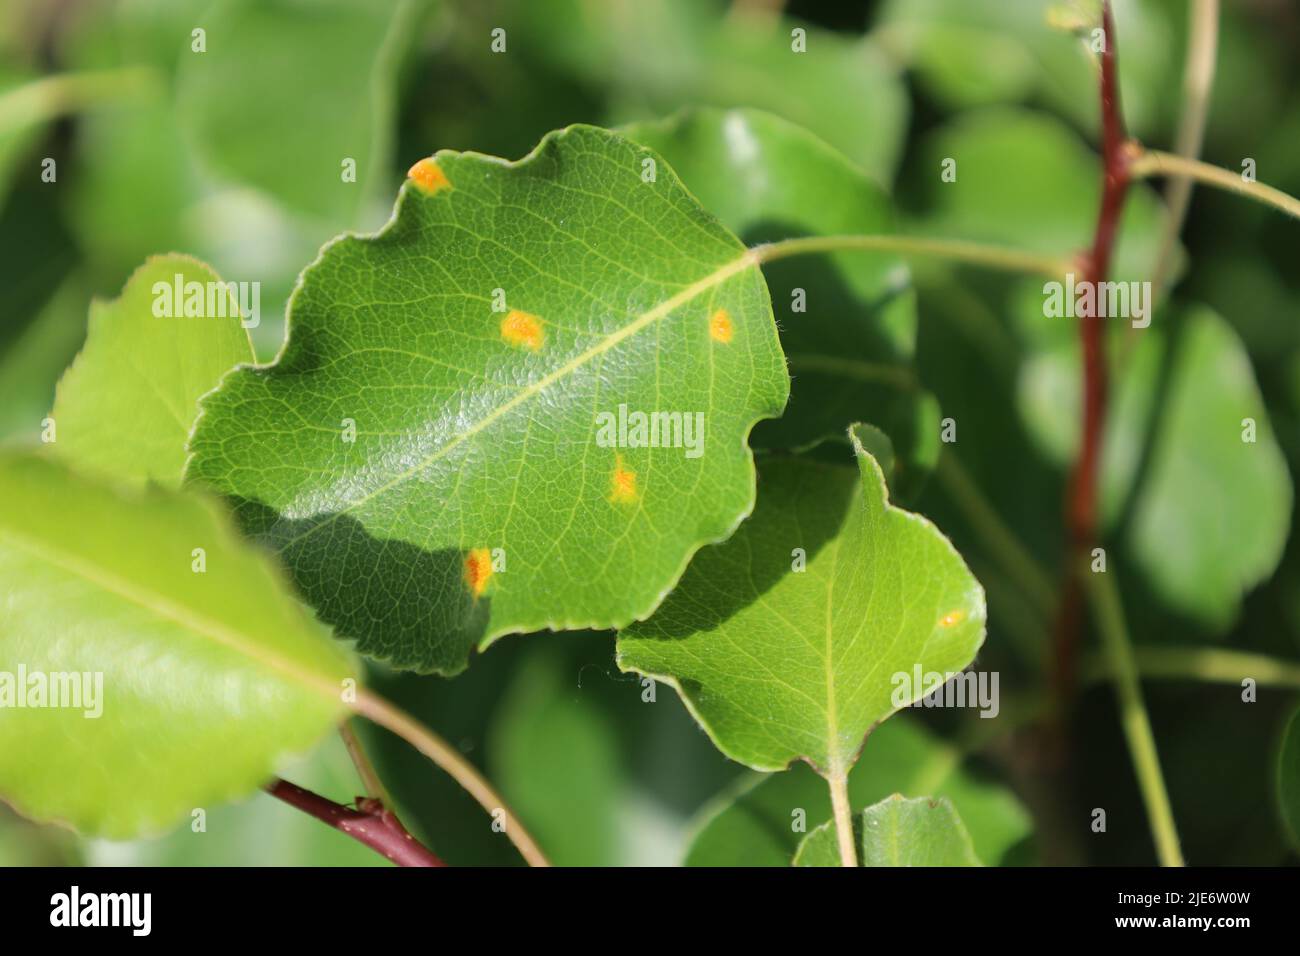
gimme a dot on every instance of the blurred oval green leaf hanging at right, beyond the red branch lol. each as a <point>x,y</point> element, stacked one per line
<point>1212,518</point>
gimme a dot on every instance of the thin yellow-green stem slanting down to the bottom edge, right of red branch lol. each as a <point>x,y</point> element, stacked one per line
<point>1133,716</point>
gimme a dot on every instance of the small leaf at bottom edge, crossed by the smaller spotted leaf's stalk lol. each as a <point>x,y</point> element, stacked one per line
<point>898,833</point>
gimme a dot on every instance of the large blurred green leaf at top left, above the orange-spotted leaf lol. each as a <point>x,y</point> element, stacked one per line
<point>324,84</point>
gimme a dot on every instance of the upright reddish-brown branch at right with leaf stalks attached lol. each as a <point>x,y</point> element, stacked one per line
<point>1082,505</point>
